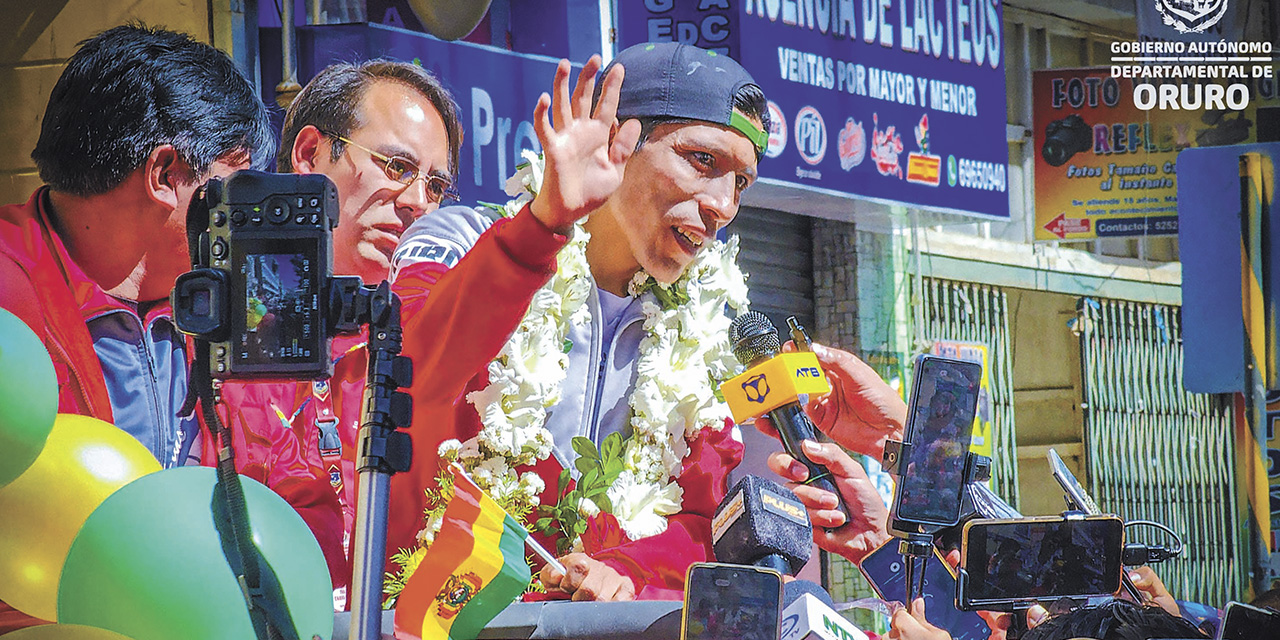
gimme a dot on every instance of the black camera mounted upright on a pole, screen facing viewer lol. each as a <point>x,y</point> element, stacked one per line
<point>259,291</point>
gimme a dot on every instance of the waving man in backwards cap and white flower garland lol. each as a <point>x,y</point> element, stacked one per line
<point>468,284</point>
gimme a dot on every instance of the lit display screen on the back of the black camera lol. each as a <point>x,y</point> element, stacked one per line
<point>277,322</point>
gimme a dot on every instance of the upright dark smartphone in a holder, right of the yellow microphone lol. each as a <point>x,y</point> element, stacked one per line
<point>941,428</point>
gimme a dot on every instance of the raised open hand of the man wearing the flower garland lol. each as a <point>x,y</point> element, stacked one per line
<point>587,153</point>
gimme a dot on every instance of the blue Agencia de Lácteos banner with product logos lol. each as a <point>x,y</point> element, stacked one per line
<point>888,100</point>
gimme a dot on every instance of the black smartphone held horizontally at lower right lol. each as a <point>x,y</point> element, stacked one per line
<point>1043,559</point>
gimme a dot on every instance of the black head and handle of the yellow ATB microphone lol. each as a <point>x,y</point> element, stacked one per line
<point>755,341</point>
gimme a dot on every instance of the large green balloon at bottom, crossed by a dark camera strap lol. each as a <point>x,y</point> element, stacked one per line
<point>149,564</point>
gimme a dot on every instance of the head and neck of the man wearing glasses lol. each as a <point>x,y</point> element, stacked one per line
<point>387,134</point>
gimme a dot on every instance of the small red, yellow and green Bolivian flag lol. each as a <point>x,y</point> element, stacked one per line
<point>473,570</point>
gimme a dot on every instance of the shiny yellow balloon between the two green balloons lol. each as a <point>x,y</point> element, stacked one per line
<point>85,461</point>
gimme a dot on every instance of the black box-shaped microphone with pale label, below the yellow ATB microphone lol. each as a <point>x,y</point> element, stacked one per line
<point>761,523</point>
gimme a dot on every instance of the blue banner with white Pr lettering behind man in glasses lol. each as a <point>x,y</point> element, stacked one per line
<point>496,92</point>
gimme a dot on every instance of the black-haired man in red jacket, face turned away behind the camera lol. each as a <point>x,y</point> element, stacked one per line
<point>138,121</point>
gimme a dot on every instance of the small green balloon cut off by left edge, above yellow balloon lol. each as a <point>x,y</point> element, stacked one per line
<point>29,397</point>
